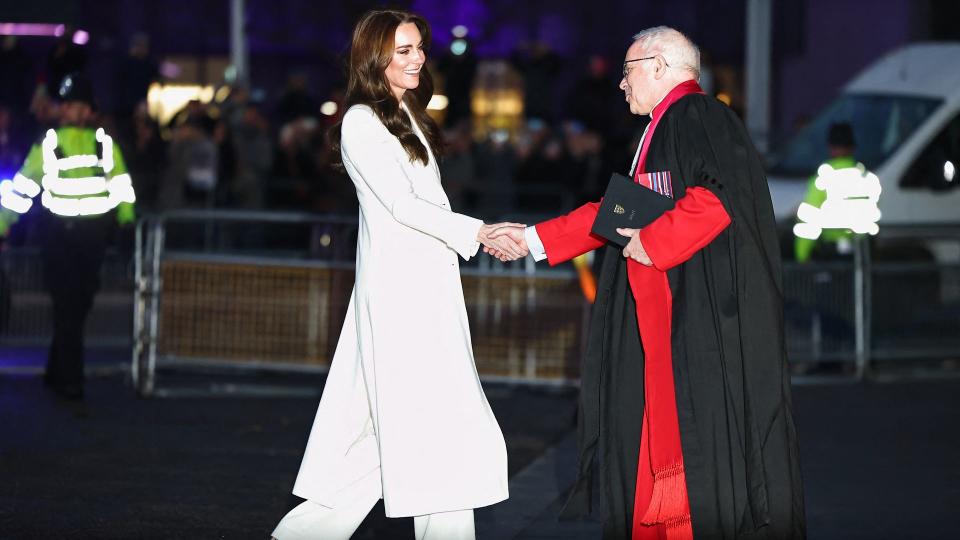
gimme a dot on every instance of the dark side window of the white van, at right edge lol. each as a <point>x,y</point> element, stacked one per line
<point>936,167</point>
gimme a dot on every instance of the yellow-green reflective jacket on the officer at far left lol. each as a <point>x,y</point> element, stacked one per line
<point>76,171</point>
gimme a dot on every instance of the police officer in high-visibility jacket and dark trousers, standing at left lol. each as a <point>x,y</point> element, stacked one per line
<point>78,174</point>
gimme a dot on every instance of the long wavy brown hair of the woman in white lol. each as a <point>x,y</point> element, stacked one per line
<point>371,51</point>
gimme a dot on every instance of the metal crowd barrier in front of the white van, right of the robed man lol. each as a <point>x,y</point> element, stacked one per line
<point>896,300</point>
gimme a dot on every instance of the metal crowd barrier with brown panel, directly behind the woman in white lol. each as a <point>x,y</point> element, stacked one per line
<point>265,291</point>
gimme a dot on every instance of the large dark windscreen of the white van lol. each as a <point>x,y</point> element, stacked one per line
<point>881,123</point>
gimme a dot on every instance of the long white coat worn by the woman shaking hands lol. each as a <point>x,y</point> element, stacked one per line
<point>403,393</point>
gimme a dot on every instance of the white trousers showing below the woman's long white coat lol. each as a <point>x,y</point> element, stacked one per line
<point>313,521</point>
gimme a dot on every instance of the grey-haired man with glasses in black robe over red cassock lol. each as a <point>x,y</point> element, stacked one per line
<point>687,334</point>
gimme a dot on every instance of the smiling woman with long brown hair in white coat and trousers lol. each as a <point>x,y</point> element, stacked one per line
<point>403,415</point>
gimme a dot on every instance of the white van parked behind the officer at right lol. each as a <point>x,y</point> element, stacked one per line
<point>905,113</point>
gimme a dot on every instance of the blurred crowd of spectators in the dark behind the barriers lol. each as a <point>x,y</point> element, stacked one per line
<point>249,152</point>
